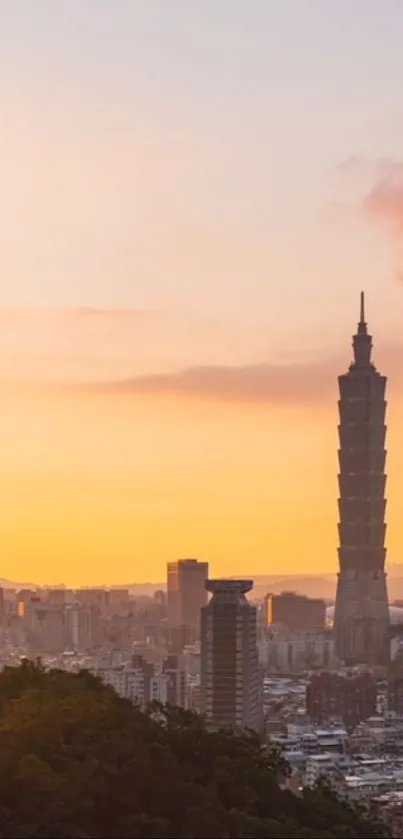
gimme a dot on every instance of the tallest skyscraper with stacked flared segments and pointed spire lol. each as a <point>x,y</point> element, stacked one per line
<point>361,613</point>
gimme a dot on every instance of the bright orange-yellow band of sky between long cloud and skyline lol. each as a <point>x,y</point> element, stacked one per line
<point>106,490</point>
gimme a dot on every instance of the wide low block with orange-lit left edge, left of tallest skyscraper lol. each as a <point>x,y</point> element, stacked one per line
<point>295,611</point>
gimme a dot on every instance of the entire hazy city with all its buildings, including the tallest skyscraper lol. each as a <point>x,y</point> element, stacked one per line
<point>322,681</point>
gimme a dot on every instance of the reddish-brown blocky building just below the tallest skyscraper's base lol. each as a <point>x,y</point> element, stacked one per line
<point>350,697</point>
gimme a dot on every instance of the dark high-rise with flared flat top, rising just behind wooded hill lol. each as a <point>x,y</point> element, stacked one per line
<point>230,678</point>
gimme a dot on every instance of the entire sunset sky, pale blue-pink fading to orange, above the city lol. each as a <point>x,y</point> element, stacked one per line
<point>193,195</point>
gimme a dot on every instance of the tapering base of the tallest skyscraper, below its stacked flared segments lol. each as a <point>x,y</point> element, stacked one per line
<point>361,620</point>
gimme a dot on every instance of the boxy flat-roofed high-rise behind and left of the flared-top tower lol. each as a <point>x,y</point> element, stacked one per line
<point>186,593</point>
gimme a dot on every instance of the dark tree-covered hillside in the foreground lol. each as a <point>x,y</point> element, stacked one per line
<point>78,761</point>
